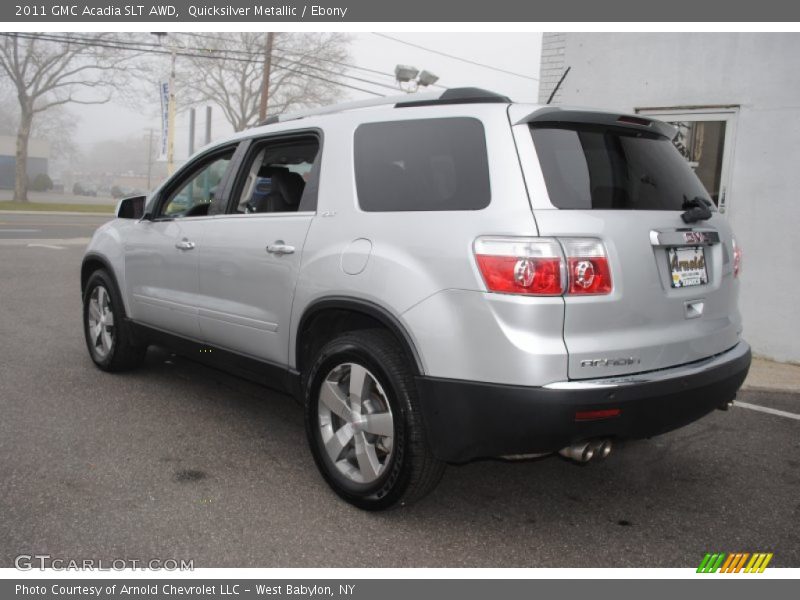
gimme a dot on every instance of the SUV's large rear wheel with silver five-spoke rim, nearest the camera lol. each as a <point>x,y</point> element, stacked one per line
<point>364,424</point>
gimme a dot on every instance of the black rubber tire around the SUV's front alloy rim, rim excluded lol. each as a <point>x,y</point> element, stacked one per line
<point>125,351</point>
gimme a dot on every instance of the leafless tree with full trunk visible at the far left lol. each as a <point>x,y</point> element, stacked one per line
<point>49,71</point>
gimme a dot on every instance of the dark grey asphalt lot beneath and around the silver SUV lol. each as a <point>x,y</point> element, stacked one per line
<point>180,461</point>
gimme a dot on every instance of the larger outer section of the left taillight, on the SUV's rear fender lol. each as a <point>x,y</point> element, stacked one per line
<point>521,265</point>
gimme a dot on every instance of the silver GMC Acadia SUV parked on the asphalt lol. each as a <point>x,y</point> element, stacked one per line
<point>436,278</point>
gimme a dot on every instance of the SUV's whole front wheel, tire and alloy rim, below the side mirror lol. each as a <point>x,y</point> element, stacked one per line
<point>109,338</point>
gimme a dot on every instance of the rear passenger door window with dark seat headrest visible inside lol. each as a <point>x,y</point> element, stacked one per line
<point>277,176</point>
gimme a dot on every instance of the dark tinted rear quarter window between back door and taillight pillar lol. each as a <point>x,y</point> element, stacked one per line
<point>425,164</point>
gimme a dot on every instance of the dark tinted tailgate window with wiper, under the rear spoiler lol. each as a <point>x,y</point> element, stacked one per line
<point>589,167</point>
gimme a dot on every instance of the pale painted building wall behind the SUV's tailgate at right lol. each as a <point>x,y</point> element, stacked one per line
<point>760,73</point>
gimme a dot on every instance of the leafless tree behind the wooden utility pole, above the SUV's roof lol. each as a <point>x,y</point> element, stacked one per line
<point>303,72</point>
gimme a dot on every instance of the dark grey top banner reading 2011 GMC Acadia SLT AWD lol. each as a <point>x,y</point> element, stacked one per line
<point>253,11</point>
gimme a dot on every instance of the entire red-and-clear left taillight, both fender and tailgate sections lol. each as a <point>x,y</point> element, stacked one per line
<point>543,266</point>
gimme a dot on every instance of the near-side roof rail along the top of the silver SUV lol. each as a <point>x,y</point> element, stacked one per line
<point>450,96</point>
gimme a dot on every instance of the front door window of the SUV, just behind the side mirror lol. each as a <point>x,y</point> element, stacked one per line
<point>194,196</point>
